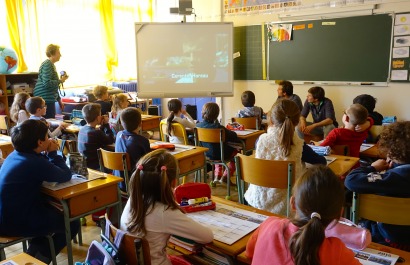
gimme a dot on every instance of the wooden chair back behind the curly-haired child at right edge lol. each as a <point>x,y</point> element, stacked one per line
<point>383,209</point>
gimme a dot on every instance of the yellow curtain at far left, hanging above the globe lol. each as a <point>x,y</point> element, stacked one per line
<point>14,14</point>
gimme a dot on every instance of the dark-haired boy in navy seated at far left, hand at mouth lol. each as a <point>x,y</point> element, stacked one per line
<point>24,210</point>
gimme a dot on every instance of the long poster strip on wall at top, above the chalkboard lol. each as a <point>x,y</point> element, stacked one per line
<point>235,7</point>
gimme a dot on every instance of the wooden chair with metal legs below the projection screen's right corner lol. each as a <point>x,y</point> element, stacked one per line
<point>214,136</point>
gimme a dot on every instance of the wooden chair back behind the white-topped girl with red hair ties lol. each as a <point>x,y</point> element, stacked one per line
<point>133,250</point>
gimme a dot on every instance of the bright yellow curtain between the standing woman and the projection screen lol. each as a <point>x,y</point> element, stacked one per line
<point>108,35</point>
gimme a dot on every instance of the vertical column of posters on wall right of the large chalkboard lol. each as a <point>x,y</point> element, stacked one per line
<point>400,66</point>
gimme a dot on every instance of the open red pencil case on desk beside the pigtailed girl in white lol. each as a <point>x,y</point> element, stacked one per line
<point>183,193</point>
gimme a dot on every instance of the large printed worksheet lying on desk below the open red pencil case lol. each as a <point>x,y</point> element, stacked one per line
<point>229,224</point>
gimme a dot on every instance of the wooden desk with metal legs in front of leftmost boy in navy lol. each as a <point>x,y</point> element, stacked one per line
<point>85,198</point>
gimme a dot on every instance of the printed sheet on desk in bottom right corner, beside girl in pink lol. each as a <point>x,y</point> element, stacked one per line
<point>369,256</point>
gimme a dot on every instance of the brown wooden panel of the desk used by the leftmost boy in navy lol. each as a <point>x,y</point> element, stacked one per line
<point>92,200</point>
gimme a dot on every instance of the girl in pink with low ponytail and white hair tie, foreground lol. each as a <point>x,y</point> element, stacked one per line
<point>317,201</point>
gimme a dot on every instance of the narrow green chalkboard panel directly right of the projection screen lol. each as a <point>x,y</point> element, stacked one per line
<point>248,41</point>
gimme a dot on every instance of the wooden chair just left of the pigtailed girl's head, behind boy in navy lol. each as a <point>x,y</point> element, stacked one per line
<point>115,161</point>
